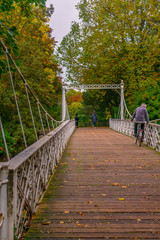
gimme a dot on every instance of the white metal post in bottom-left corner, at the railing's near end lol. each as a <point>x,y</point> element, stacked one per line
<point>3,201</point>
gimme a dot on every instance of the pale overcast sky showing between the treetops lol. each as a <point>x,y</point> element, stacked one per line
<point>64,13</point>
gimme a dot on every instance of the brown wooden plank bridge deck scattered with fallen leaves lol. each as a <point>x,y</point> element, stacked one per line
<point>105,187</point>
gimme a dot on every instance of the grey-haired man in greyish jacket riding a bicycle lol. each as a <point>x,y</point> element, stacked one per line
<point>140,115</point>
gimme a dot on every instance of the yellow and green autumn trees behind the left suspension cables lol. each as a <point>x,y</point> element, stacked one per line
<point>32,50</point>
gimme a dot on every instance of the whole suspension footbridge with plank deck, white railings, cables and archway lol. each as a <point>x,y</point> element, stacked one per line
<point>106,182</point>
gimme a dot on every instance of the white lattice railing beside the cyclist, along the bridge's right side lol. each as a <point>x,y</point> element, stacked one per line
<point>151,133</point>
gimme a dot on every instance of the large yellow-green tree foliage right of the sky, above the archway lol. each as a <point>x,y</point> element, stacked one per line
<point>115,40</point>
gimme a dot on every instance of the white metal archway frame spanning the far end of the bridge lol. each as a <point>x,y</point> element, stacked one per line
<point>93,86</point>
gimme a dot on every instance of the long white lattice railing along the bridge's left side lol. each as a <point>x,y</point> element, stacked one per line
<point>29,174</point>
